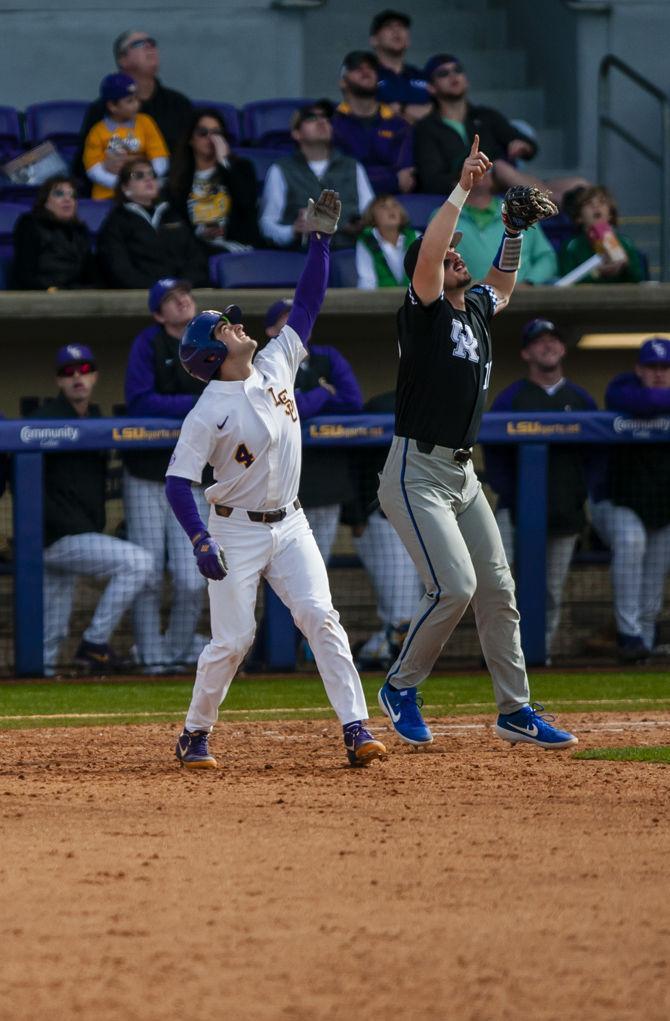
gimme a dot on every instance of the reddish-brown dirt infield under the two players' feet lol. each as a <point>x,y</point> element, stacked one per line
<point>470,883</point>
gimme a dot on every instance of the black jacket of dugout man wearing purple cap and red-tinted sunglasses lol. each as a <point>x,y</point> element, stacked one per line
<point>74,483</point>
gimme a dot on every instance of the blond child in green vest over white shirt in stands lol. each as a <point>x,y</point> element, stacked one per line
<point>382,245</point>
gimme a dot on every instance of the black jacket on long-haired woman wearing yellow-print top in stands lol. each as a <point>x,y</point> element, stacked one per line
<point>240,180</point>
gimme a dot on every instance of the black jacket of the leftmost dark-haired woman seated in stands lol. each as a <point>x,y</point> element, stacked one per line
<point>51,253</point>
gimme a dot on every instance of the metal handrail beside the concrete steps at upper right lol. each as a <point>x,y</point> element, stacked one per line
<point>606,125</point>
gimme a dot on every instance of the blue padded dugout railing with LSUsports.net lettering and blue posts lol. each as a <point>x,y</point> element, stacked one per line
<point>29,442</point>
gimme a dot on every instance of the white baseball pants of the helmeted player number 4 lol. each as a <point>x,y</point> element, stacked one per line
<point>286,555</point>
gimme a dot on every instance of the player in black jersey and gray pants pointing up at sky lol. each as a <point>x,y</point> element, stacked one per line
<point>428,489</point>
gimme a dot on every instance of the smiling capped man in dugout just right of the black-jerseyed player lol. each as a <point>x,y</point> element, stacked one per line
<point>571,470</point>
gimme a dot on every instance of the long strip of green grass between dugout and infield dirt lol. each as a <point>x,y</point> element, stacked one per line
<point>300,697</point>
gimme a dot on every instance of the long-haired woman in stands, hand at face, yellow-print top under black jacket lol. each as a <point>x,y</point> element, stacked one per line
<point>213,188</point>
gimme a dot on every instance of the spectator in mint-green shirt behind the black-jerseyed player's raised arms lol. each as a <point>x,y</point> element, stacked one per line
<point>481,226</point>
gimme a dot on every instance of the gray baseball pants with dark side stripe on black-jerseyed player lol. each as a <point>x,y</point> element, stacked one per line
<point>441,513</point>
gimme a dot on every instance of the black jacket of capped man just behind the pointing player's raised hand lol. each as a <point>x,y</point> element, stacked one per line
<point>440,151</point>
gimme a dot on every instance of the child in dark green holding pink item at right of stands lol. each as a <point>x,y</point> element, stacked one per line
<point>595,213</point>
